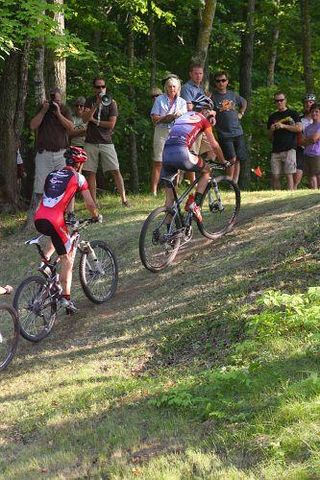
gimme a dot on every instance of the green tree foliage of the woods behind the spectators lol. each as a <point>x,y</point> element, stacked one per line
<point>96,40</point>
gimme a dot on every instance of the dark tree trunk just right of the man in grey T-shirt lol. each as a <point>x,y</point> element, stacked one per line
<point>246,61</point>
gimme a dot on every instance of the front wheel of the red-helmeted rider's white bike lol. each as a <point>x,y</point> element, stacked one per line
<point>98,272</point>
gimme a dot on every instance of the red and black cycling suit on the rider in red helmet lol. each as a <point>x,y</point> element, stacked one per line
<point>59,189</point>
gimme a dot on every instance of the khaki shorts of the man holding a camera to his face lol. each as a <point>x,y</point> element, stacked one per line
<point>45,163</point>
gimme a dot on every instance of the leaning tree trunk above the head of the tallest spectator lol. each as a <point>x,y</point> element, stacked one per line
<point>205,30</point>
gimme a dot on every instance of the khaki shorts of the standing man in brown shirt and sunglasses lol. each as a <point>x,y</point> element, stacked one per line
<point>103,151</point>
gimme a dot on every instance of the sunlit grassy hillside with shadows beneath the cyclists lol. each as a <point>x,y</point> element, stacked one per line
<point>209,370</point>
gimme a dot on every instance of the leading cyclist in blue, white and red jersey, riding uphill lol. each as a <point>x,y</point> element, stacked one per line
<point>178,154</point>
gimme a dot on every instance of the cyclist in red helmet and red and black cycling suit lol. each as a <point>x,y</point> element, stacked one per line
<point>60,188</point>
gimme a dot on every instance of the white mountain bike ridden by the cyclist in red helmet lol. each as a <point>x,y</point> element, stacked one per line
<point>37,297</point>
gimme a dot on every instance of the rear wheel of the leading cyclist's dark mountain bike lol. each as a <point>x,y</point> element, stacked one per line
<point>160,239</point>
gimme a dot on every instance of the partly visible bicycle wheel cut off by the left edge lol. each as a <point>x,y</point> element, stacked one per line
<point>9,334</point>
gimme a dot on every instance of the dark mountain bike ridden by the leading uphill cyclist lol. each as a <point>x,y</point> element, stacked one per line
<point>166,228</point>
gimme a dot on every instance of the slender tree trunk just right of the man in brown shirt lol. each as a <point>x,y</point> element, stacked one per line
<point>132,134</point>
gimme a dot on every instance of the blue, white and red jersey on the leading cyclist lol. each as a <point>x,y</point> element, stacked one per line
<point>187,128</point>
